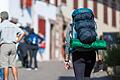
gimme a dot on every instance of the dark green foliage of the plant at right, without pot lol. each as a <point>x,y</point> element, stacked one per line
<point>113,56</point>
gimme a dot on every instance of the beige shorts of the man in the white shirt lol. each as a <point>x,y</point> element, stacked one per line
<point>7,55</point>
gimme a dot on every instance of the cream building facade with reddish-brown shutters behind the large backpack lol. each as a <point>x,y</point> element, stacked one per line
<point>107,13</point>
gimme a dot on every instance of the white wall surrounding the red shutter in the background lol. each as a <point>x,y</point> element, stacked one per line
<point>49,13</point>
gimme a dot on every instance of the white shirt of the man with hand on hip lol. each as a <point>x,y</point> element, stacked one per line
<point>8,32</point>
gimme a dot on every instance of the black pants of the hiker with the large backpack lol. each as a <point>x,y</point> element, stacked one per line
<point>83,63</point>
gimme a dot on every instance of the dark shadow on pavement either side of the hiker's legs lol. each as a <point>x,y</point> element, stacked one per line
<point>73,78</point>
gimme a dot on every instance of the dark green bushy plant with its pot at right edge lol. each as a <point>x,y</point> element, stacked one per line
<point>112,59</point>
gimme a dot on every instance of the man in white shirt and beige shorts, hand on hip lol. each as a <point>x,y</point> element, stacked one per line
<point>8,41</point>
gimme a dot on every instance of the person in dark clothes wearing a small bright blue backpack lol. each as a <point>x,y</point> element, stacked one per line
<point>33,41</point>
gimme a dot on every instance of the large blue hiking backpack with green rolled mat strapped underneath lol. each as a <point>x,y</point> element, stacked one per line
<point>83,34</point>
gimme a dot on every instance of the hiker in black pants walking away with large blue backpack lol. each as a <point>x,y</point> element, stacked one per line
<point>83,59</point>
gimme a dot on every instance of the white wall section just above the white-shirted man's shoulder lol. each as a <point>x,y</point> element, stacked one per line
<point>16,12</point>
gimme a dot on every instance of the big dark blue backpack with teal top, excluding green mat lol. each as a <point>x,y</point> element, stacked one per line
<point>84,25</point>
